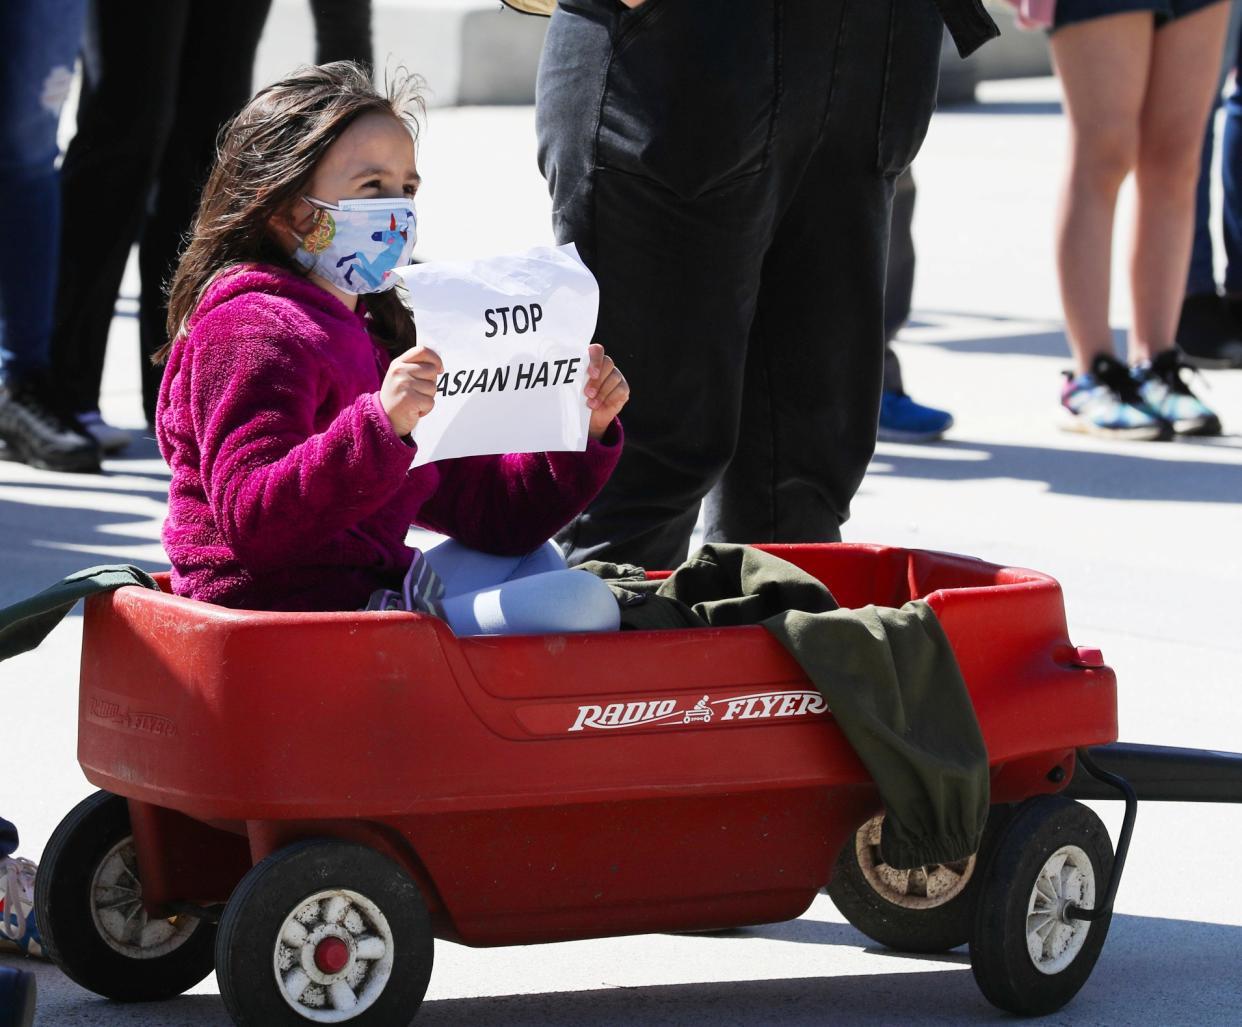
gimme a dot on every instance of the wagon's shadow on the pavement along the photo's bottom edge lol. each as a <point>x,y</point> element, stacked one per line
<point>1152,972</point>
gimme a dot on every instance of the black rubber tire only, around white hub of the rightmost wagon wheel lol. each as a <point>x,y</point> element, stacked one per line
<point>1003,967</point>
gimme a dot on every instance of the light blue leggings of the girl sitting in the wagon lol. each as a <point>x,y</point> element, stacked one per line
<point>535,594</point>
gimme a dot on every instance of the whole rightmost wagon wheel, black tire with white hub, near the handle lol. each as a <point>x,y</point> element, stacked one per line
<point>1029,956</point>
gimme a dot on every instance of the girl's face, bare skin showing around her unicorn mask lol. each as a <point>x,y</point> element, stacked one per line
<point>373,158</point>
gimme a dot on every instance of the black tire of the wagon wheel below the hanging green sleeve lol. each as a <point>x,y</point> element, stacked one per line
<point>911,931</point>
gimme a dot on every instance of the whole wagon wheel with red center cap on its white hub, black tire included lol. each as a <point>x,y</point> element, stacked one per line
<point>325,932</point>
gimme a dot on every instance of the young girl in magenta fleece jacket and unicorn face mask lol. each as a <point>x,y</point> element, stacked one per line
<point>295,386</point>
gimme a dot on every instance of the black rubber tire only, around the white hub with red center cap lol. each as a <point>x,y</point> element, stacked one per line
<point>278,887</point>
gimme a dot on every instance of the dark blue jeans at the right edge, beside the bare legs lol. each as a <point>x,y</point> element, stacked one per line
<point>1203,273</point>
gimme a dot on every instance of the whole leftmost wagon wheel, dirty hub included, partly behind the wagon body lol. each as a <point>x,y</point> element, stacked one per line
<point>89,907</point>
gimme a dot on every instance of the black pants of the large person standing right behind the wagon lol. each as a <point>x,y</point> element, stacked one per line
<point>726,170</point>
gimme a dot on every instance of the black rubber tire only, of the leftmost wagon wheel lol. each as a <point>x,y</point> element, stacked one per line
<point>70,936</point>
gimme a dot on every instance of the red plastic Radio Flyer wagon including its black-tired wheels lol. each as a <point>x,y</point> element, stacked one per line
<point>304,802</point>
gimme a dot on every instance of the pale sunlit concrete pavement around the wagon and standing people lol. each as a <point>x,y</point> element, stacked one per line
<point>1146,538</point>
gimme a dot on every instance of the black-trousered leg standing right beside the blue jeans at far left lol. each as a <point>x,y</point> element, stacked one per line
<point>125,114</point>
